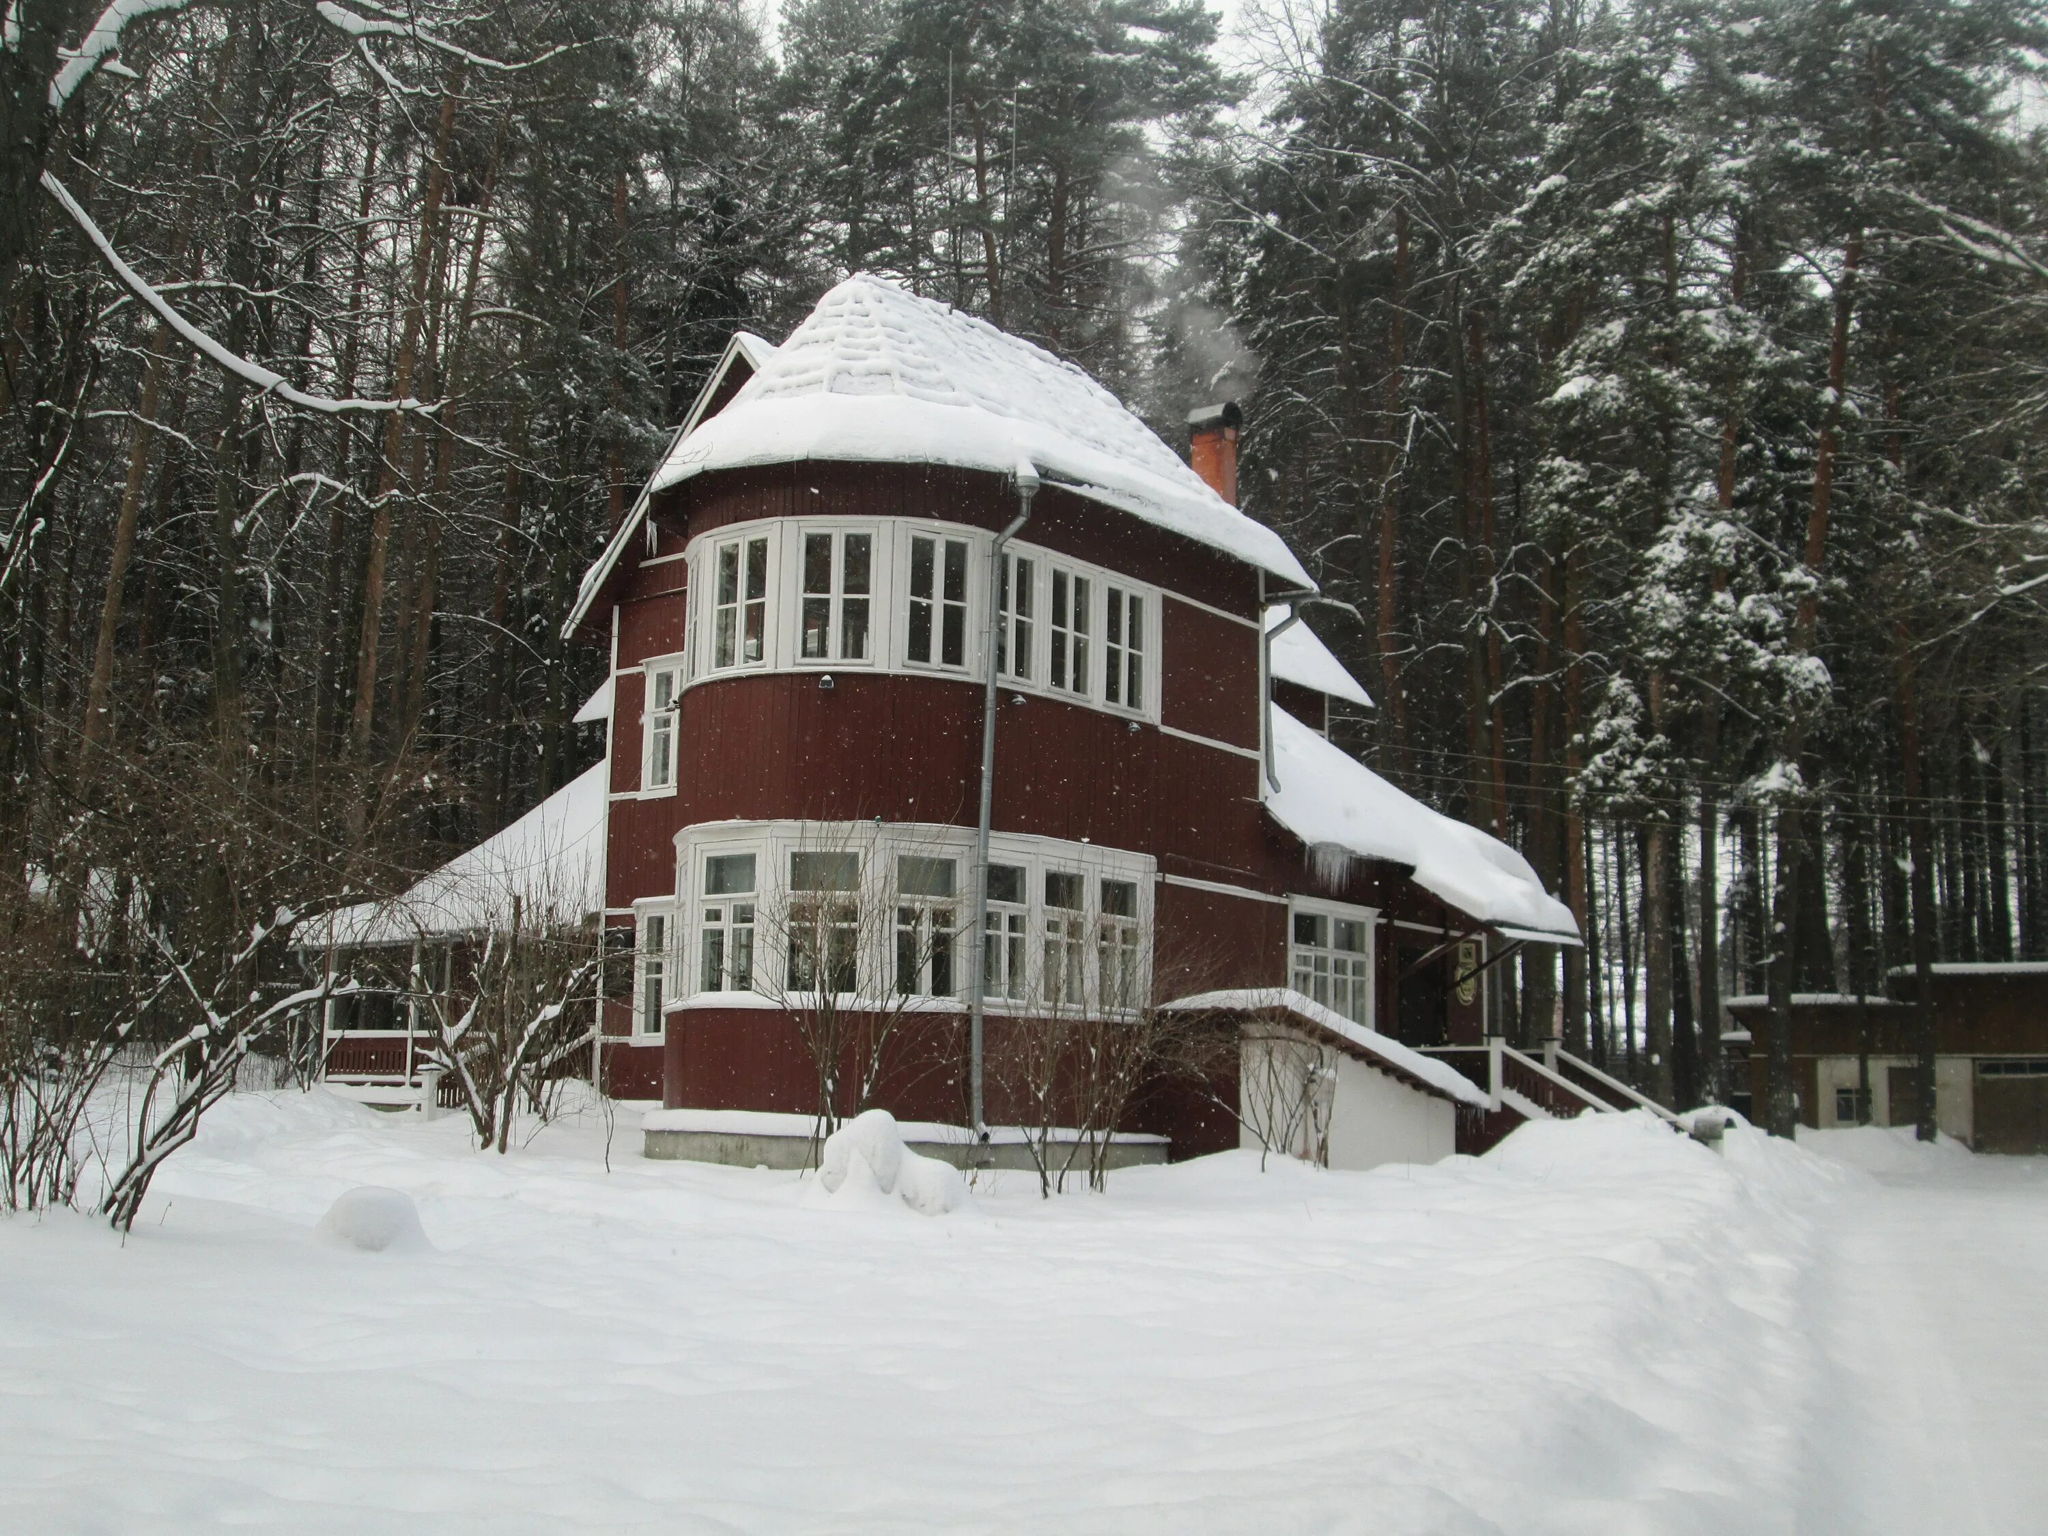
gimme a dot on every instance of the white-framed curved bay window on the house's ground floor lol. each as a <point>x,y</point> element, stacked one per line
<point>876,914</point>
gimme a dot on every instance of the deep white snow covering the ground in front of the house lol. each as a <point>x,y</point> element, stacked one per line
<point>1601,1328</point>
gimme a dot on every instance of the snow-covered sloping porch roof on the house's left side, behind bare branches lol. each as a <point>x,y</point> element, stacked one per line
<point>552,859</point>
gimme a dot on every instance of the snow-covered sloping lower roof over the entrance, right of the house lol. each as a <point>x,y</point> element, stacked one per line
<point>1330,800</point>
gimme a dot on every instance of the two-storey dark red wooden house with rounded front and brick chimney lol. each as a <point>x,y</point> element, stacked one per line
<point>916,634</point>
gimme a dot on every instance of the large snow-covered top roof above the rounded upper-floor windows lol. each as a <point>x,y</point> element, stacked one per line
<point>882,376</point>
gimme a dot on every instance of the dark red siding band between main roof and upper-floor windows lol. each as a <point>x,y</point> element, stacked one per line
<point>1062,521</point>
